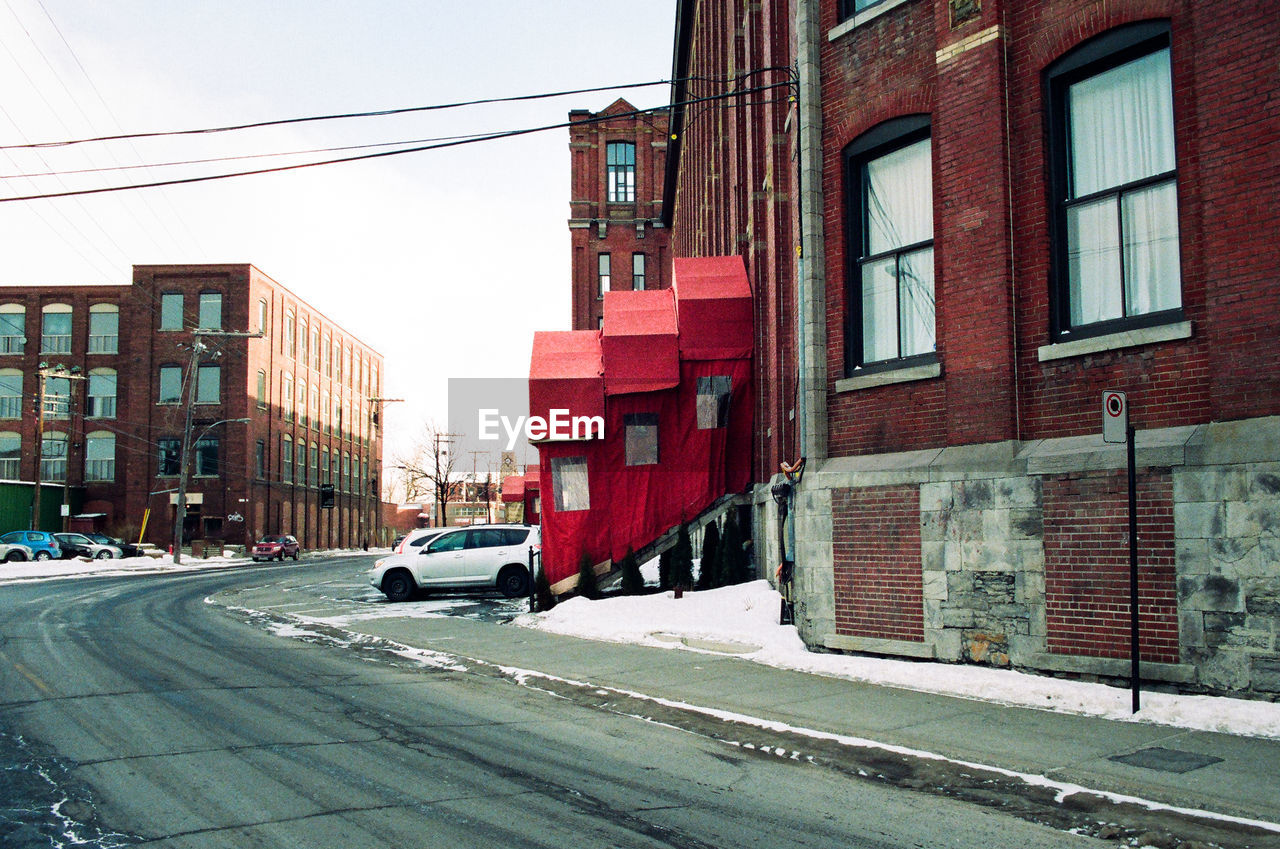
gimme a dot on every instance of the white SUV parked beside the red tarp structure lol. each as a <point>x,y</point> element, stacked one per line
<point>484,558</point>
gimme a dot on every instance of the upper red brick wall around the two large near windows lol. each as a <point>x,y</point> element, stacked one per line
<point>993,221</point>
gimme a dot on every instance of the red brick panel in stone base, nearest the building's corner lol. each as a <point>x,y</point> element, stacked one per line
<point>880,588</point>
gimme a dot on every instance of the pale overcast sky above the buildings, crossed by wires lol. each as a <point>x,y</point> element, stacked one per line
<point>446,262</point>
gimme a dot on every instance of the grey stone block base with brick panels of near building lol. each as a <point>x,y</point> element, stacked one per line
<point>1023,555</point>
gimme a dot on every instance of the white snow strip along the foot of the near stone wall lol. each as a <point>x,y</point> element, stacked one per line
<point>744,620</point>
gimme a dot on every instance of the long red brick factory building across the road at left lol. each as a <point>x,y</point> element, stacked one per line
<point>284,401</point>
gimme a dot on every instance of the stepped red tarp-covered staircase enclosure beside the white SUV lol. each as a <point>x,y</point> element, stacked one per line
<point>621,506</point>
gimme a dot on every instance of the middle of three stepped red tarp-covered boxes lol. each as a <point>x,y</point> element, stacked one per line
<point>641,344</point>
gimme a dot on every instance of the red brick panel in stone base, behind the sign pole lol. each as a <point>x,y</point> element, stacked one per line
<point>1087,565</point>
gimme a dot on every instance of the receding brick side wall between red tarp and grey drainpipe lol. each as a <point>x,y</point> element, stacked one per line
<point>737,191</point>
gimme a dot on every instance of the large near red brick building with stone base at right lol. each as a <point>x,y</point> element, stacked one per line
<point>1002,211</point>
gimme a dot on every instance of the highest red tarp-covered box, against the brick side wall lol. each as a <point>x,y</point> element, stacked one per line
<point>714,299</point>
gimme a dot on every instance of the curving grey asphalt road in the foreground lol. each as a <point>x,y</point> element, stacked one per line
<point>166,722</point>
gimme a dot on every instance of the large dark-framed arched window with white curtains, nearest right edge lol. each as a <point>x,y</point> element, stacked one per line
<point>1114,177</point>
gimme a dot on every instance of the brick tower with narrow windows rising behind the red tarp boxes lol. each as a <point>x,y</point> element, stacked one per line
<point>619,241</point>
